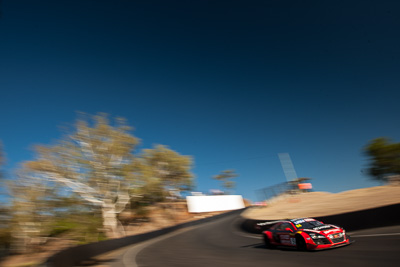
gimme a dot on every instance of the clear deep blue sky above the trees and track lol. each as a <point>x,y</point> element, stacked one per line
<point>231,83</point>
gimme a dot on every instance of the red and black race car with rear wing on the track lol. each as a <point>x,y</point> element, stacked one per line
<point>305,234</point>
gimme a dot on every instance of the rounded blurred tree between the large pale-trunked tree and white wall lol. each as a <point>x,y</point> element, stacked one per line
<point>164,172</point>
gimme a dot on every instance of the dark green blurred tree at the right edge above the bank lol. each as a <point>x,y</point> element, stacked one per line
<point>384,159</point>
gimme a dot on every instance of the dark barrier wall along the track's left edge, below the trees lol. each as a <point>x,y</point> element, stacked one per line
<point>74,255</point>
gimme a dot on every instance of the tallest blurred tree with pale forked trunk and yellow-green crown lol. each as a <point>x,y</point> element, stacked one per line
<point>95,162</point>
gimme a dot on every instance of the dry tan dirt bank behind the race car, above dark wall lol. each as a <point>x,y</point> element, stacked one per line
<point>315,204</point>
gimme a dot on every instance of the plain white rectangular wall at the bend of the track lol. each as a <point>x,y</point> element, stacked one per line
<point>214,203</point>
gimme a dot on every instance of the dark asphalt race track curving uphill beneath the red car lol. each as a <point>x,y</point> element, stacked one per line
<point>221,243</point>
